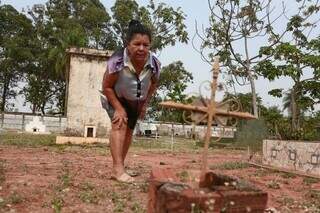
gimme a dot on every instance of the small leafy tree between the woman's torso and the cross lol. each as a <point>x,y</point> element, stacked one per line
<point>171,89</point>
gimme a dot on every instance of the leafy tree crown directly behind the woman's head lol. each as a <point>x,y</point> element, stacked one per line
<point>166,23</point>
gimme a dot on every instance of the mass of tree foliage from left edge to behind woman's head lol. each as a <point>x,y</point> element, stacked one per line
<point>34,46</point>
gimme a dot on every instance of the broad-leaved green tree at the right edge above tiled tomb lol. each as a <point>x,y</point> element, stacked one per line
<point>293,59</point>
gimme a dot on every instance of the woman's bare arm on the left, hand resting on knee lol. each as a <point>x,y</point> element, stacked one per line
<point>120,115</point>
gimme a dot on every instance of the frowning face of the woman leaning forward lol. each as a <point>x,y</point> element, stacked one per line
<point>138,48</point>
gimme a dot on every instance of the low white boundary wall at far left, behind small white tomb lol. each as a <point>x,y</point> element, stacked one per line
<point>18,122</point>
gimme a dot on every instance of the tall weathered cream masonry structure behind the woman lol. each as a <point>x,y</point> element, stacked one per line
<point>87,67</point>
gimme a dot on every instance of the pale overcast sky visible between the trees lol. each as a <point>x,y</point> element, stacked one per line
<point>196,10</point>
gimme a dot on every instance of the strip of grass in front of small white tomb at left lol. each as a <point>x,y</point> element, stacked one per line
<point>27,140</point>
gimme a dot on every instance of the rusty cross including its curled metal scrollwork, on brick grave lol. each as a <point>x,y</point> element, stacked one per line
<point>209,112</point>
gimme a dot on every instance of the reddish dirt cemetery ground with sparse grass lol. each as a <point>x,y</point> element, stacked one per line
<point>38,176</point>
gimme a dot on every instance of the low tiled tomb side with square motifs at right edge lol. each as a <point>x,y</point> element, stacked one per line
<point>293,155</point>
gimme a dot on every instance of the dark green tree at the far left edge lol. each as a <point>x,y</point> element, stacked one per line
<point>15,52</point>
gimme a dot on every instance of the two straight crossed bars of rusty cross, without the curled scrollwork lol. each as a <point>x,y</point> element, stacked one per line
<point>212,112</point>
